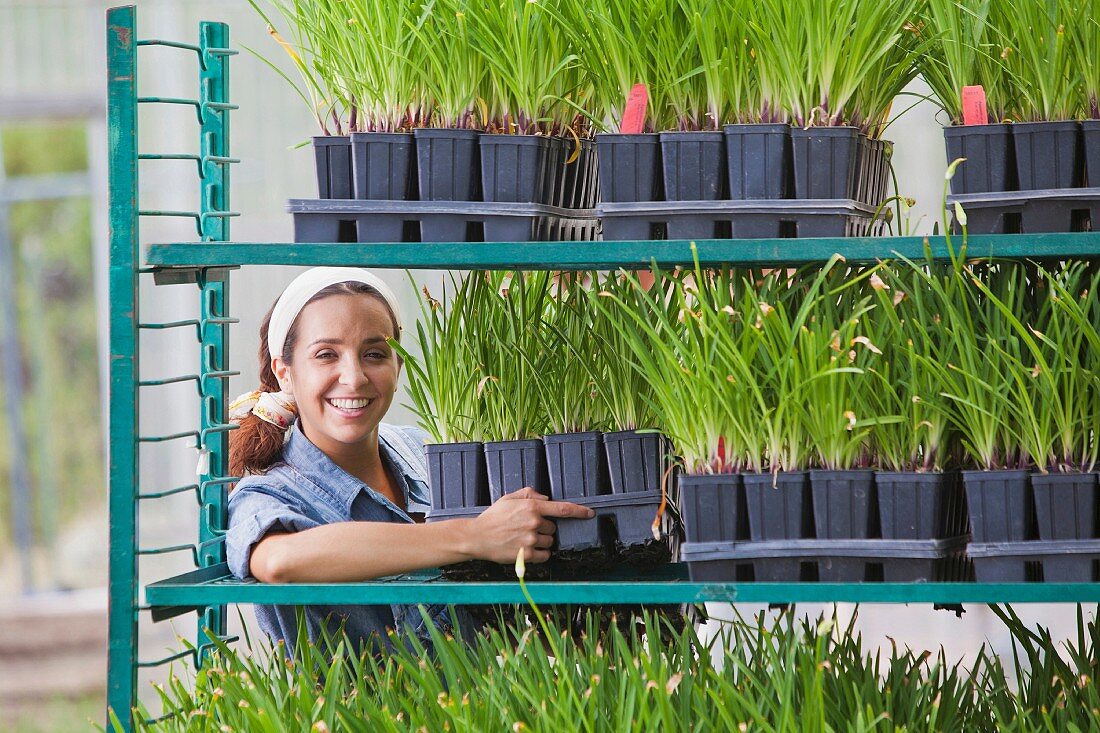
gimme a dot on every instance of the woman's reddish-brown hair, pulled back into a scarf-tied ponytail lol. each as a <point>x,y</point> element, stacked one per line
<point>257,445</point>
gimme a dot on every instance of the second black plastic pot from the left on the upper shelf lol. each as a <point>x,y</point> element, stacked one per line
<point>383,167</point>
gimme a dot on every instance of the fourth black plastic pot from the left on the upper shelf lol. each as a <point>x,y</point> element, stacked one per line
<point>514,168</point>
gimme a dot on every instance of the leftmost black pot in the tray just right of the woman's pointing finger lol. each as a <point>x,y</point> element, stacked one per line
<point>713,508</point>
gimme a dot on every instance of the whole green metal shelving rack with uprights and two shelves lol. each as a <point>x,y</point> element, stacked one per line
<point>207,262</point>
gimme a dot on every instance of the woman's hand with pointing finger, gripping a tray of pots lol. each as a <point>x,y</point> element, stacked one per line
<point>521,520</point>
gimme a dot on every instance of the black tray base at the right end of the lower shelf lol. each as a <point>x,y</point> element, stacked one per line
<point>1066,561</point>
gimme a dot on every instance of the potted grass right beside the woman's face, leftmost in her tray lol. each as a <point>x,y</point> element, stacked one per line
<point>443,385</point>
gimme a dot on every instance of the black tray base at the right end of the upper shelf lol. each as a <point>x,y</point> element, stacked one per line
<point>1030,212</point>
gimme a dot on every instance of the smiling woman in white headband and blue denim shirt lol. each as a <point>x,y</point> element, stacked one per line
<point>332,494</point>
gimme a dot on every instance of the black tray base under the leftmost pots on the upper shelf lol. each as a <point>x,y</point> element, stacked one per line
<point>332,221</point>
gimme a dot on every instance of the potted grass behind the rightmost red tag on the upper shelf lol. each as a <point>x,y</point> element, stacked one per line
<point>964,51</point>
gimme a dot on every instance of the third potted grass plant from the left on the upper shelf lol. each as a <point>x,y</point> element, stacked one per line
<point>447,146</point>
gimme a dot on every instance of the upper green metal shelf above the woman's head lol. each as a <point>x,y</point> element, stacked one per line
<point>604,256</point>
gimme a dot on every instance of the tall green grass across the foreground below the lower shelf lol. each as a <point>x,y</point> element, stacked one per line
<point>785,675</point>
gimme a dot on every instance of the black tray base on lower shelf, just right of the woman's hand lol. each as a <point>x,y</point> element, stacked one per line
<point>853,561</point>
